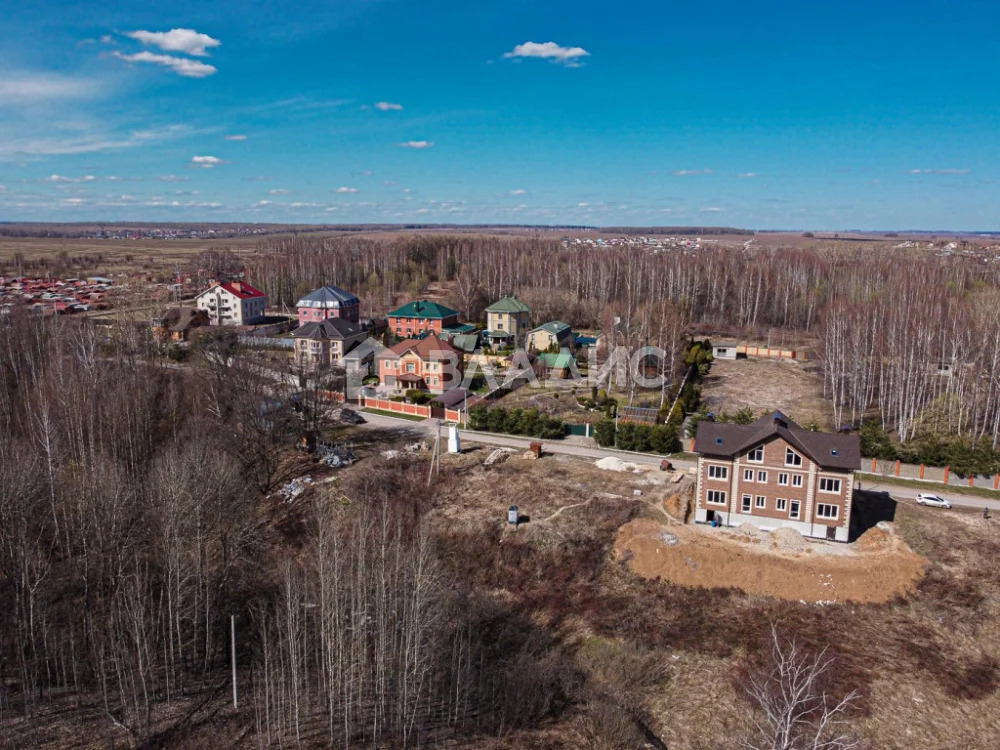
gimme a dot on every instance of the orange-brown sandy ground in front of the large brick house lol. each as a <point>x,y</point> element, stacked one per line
<point>876,568</point>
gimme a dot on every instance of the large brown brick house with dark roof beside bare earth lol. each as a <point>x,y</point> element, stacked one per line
<point>773,473</point>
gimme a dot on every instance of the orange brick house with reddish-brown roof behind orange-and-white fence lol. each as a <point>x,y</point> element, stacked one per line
<point>427,364</point>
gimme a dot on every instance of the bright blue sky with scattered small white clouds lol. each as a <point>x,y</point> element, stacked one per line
<point>876,115</point>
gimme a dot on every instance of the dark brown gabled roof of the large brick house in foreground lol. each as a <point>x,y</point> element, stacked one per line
<point>828,450</point>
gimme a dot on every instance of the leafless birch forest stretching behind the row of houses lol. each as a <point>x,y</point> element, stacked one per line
<point>885,320</point>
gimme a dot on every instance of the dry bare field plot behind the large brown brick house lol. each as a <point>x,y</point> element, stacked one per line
<point>794,388</point>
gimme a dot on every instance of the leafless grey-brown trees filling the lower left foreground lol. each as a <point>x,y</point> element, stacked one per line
<point>132,526</point>
